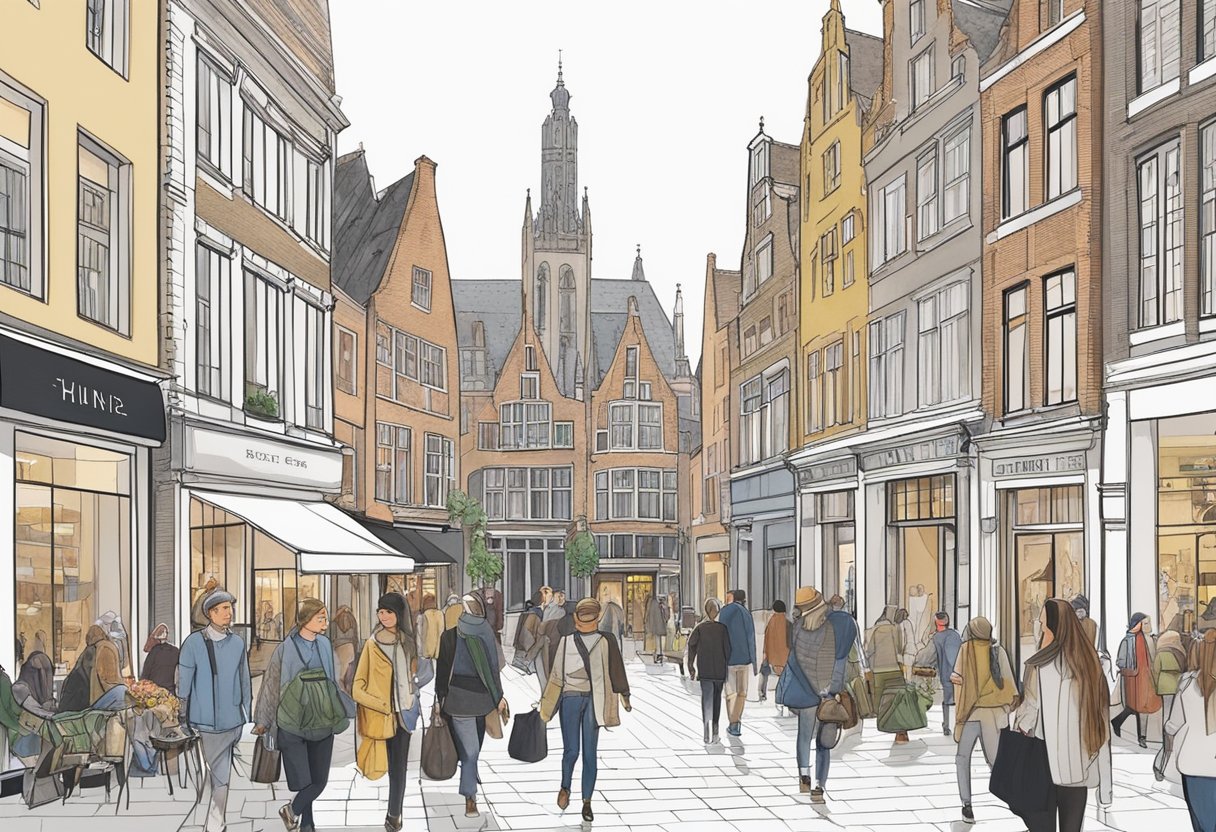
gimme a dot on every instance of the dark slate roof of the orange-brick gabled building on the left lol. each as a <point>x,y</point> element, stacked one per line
<point>365,227</point>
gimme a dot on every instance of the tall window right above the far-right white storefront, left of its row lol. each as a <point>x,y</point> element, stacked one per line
<point>1161,220</point>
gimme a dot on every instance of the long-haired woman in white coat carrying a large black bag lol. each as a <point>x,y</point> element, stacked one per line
<point>1066,702</point>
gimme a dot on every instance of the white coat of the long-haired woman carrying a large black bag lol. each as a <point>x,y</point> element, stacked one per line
<point>1051,711</point>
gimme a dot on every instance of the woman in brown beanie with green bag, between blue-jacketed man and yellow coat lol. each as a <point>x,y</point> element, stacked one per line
<point>305,739</point>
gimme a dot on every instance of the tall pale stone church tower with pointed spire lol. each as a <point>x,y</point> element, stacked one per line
<point>558,249</point>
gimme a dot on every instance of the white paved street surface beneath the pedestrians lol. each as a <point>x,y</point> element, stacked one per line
<point>655,775</point>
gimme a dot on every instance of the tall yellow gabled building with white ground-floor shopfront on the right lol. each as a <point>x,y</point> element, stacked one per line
<point>834,305</point>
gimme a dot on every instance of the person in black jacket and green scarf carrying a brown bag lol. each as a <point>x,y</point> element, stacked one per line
<point>469,688</point>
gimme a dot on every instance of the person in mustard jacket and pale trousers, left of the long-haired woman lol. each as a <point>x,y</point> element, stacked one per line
<point>984,690</point>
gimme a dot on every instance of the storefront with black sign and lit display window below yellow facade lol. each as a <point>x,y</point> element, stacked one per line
<point>76,430</point>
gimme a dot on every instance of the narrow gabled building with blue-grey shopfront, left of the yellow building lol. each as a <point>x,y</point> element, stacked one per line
<point>764,361</point>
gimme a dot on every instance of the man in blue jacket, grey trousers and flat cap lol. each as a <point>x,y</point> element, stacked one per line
<point>217,694</point>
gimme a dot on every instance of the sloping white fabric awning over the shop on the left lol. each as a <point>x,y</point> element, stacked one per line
<point>325,539</point>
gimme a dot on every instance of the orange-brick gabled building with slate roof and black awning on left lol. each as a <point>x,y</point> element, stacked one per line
<point>396,372</point>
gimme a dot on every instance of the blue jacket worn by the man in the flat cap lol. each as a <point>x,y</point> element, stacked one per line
<point>224,702</point>
